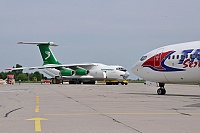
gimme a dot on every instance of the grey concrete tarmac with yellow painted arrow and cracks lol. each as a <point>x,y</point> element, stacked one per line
<point>135,108</point>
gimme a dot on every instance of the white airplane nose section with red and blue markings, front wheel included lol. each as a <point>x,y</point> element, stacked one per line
<point>176,63</point>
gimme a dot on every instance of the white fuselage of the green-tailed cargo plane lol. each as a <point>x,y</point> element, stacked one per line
<point>96,72</point>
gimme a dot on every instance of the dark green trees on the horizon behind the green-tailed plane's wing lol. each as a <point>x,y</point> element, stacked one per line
<point>19,75</point>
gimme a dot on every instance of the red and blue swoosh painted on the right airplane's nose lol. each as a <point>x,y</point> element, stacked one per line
<point>157,62</point>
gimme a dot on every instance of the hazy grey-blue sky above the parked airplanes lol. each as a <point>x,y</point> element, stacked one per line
<point>112,32</point>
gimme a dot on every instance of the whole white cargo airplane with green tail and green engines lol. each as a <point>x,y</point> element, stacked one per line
<point>86,73</point>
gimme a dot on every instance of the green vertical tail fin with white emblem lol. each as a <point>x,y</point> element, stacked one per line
<point>47,55</point>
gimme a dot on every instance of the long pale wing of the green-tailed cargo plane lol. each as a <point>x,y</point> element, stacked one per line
<point>54,66</point>
